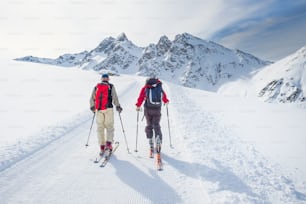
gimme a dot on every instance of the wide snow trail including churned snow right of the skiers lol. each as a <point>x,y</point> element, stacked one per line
<point>208,164</point>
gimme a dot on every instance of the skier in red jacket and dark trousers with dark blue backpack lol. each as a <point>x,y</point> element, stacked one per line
<point>153,95</point>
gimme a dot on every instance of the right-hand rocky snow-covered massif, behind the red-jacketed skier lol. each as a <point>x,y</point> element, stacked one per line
<point>197,63</point>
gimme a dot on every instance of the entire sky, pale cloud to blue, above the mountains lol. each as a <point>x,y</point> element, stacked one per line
<point>269,29</point>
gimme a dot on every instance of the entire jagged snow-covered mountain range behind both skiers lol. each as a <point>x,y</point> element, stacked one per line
<point>187,60</point>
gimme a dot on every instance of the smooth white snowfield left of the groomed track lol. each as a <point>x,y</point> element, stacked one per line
<point>35,100</point>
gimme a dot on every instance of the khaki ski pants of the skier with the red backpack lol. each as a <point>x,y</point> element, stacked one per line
<point>105,121</point>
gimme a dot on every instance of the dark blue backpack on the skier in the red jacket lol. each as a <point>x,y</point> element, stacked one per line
<point>154,94</point>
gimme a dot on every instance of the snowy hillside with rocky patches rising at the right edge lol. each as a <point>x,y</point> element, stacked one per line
<point>282,82</point>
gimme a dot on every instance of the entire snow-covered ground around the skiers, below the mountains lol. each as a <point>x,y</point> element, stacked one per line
<point>217,155</point>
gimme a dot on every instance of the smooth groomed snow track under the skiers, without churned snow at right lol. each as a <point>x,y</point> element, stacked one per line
<point>64,172</point>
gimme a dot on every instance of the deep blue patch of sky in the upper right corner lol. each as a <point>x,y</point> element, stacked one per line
<point>271,33</point>
